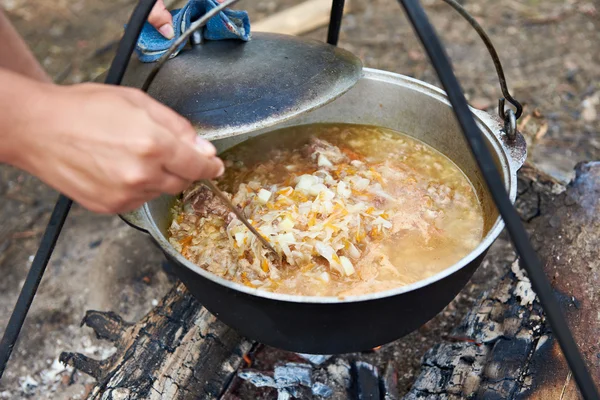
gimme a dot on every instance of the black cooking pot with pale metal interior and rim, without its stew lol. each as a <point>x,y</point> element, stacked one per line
<point>330,325</point>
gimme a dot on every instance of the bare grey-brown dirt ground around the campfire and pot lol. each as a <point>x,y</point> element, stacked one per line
<point>551,55</point>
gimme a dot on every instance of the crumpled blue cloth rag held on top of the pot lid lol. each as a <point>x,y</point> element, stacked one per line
<point>228,24</point>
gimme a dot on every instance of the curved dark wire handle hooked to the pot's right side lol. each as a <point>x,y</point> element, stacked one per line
<point>509,116</point>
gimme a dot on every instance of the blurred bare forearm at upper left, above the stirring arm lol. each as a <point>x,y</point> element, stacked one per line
<point>15,55</point>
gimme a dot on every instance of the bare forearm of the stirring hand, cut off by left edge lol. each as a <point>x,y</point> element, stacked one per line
<point>20,100</point>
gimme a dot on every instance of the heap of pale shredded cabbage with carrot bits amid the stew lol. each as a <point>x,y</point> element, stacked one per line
<point>325,214</point>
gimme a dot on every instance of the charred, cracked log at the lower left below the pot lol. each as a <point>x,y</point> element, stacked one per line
<point>178,349</point>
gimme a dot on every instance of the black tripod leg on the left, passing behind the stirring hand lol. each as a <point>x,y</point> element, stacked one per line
<point>63,204</point>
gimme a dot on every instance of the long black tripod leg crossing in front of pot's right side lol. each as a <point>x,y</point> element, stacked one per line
<point>529,259</point>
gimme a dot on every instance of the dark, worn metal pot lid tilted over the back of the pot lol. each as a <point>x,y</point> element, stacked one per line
<point>229,87</point>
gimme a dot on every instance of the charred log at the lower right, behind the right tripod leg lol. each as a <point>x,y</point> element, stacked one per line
<point>505,348</point>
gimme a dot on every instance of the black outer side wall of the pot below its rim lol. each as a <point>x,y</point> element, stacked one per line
<point>315,328</point>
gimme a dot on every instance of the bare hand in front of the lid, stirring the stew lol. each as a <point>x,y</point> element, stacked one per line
<point>111,148</point>
